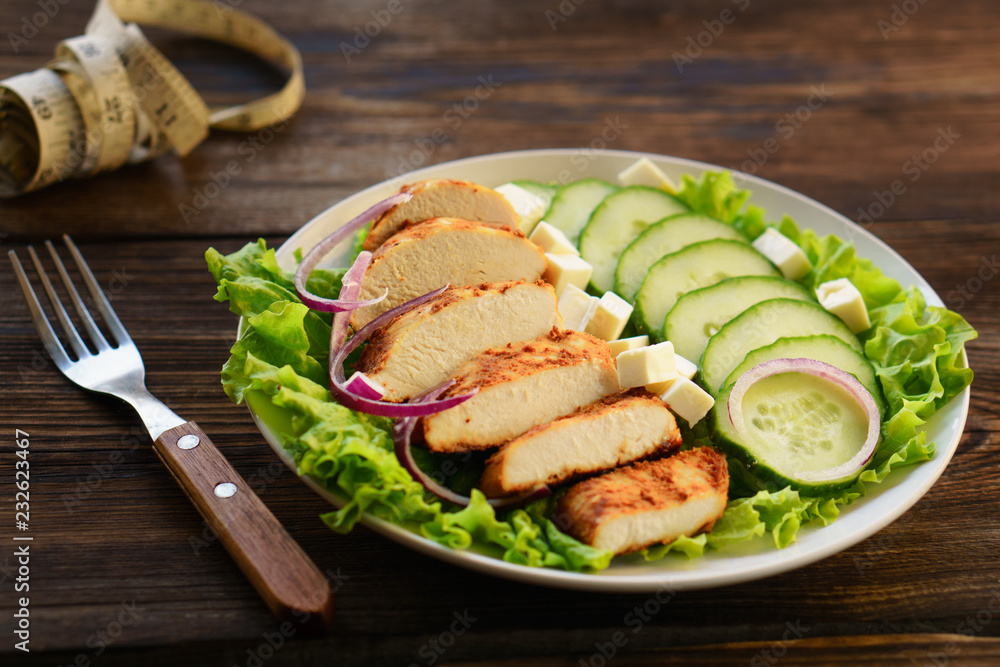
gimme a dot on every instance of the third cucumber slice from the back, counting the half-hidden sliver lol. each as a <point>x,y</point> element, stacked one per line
<point>616,222</point>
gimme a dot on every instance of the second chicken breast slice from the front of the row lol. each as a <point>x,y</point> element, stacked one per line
<point>615,430</point>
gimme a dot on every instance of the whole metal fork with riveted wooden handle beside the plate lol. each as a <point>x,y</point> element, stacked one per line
<point>289,582</point>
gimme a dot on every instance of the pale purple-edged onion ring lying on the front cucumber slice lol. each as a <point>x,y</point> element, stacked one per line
<point>828,372</point>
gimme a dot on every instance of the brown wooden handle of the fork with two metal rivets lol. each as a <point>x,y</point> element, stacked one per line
<point>290,583</point>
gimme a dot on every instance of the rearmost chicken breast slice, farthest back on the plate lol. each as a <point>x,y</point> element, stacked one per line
<point>442,198</point>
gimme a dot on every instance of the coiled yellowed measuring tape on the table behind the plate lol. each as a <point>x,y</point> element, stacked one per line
<point>110,98</point>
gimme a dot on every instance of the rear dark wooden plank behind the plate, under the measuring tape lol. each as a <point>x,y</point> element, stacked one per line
<point>888,100</point>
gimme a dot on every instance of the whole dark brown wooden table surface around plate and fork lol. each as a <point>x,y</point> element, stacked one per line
<point>122,572</point>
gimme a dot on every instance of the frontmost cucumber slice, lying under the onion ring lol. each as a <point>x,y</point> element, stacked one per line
<point>797,423</point>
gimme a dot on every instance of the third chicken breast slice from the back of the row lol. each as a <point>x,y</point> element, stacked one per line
<point>426,346</point>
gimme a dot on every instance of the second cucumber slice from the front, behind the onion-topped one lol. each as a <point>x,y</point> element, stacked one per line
<point>823,347</point>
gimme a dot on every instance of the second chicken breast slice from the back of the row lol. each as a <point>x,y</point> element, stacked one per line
<point>444,251</point>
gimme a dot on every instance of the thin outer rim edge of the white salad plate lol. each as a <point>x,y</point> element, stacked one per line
<point>605,581</point>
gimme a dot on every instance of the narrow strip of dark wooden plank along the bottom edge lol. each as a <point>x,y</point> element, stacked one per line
<point>277,649</point>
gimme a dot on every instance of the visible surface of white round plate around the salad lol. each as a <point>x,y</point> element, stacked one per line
<point>755,559</point>
